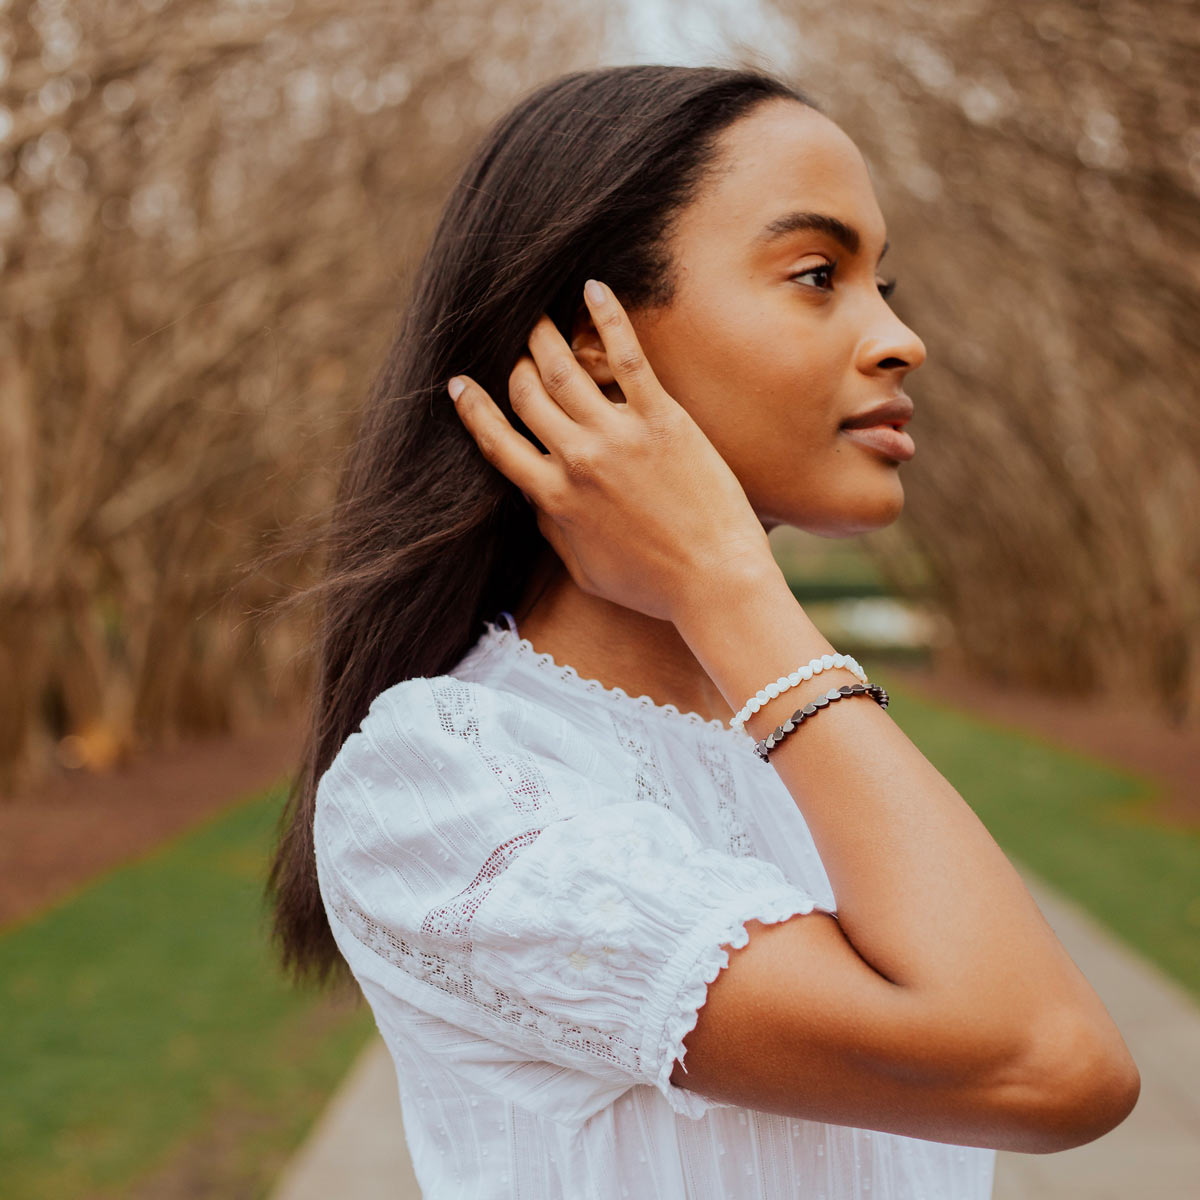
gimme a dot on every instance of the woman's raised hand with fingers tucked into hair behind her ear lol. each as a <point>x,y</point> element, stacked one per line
<point>634,499</point>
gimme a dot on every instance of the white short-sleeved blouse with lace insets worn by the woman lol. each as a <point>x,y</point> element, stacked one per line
<point>535,879</point>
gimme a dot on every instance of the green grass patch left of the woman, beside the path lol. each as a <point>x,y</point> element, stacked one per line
<point>145,1016</point>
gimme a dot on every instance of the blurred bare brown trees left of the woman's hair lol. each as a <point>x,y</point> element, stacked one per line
<point>208,212</point>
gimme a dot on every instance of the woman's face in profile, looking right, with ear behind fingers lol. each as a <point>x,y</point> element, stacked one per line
<point>778,332</point>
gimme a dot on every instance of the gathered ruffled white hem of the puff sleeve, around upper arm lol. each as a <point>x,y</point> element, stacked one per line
<point>695,968</point>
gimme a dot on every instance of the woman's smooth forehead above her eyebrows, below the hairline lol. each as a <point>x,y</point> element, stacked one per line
<point>781,158</point>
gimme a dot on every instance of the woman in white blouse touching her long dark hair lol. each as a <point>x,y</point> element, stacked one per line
<point>613,951</point>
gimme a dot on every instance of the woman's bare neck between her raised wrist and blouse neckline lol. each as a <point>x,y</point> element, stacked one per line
<point>616,646</point>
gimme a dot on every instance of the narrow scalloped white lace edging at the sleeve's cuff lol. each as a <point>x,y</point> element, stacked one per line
<point>691,999</point>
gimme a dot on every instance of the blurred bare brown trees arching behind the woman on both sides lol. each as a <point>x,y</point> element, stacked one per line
<point>209,212</point>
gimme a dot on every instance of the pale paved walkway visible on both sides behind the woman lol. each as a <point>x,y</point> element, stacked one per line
<point>357,1151</point>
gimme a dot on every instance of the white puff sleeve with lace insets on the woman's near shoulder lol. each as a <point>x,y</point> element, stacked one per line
<point>482,861</point>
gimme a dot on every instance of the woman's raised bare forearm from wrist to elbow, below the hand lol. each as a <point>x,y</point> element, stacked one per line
<point>925,895</point>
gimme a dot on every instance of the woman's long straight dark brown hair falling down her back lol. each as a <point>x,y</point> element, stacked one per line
<point>428,539</point>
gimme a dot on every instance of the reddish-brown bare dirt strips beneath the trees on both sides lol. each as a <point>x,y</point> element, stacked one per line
<point>76,826</point>
